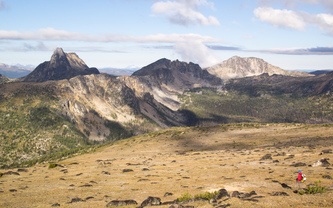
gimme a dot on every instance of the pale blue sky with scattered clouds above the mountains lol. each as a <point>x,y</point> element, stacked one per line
<point>291,34</point>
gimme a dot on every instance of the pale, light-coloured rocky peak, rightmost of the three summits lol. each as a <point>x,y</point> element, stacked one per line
<point>237,67</point>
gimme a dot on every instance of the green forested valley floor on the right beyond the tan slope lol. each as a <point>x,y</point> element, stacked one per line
<point>211,105</point>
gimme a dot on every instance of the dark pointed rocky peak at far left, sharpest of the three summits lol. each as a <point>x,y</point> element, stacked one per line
<point>61,66</point>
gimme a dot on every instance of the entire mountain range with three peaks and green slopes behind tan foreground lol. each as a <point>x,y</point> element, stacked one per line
<point>64,105</point>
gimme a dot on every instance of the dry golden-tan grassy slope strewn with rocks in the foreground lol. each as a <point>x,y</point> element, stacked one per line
<point>185,160</point>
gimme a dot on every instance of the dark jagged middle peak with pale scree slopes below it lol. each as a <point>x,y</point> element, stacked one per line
<point>165,79</point>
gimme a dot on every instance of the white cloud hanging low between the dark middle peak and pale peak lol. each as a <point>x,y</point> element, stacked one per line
<point>197,52</point>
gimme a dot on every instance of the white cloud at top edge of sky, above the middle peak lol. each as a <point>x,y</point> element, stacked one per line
<point>185,12</point>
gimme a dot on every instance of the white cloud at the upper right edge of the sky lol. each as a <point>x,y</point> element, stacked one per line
<point>293,19</point>
